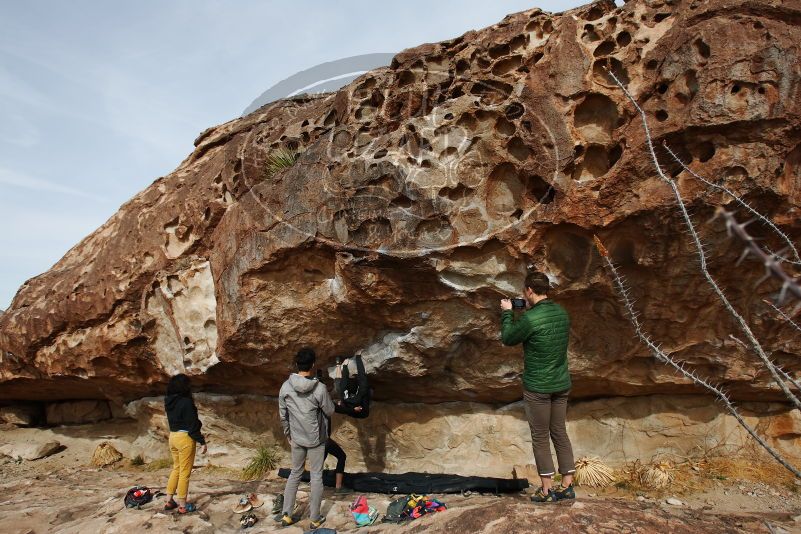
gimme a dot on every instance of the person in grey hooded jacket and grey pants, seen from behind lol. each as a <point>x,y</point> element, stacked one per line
<point>305,406</point>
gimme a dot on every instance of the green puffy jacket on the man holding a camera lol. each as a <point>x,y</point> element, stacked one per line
<point>544,330</point>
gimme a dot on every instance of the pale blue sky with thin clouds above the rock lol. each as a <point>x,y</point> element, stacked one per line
<point>99,99</point>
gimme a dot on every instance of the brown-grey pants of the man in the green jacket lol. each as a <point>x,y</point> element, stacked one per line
<point>546,413</point>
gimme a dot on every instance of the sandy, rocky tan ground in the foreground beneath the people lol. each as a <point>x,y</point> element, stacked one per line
<point>63,494</point>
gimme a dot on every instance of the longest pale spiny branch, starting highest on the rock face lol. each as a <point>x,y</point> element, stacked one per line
<point>702,256</point>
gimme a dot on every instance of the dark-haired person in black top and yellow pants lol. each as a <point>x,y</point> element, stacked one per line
<point>184,437</point>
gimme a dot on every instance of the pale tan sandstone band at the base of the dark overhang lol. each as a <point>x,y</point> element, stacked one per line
<point>477,439</point>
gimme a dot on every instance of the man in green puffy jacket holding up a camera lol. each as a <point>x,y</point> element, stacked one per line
<point>544,331</point>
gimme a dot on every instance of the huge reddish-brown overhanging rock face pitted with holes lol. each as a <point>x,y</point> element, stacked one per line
<point>422,193</point>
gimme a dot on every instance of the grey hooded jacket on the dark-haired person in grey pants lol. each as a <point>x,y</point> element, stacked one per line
<point>304,406</point>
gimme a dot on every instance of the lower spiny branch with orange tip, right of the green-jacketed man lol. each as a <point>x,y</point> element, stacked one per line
<point>660,355</point>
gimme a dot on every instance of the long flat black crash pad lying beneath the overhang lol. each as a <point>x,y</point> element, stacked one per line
<point>424,483</point>
